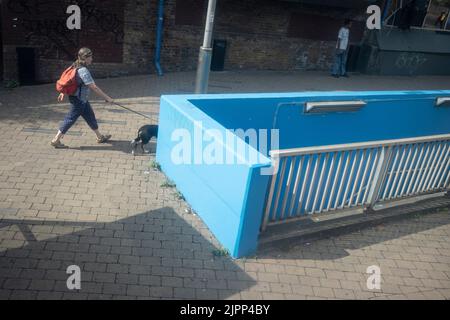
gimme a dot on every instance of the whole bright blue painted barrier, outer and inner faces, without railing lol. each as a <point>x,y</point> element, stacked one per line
<point>230,197</point>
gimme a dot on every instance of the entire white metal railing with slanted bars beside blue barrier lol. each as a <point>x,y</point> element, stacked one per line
<point>337,177</point>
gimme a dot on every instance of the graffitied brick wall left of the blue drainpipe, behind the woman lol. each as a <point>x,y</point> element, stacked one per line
<point>120,33</point>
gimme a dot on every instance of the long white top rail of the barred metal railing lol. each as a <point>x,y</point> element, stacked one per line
<point>356,145</point>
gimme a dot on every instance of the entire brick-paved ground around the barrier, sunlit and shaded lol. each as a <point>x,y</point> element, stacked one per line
<point>98,207</point>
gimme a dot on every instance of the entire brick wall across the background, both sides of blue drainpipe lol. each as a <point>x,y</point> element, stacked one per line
<point>260,34</point>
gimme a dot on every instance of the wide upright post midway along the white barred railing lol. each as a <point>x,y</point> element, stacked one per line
<point>379,177</point>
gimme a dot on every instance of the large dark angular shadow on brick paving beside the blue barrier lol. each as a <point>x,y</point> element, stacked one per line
<point>153,255</point>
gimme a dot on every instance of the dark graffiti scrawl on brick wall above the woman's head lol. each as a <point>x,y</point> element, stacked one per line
<point>46,19</point>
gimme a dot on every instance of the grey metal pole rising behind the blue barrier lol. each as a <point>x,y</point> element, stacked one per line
<point>204,58</point>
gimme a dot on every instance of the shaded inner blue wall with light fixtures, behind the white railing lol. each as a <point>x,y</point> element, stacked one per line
<point>388,115</point>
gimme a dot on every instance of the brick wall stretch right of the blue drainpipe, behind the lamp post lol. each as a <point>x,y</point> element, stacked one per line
<point>257,35</point>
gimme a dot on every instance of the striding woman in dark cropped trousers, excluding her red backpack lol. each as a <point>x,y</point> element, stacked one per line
<point>80,105</point>
